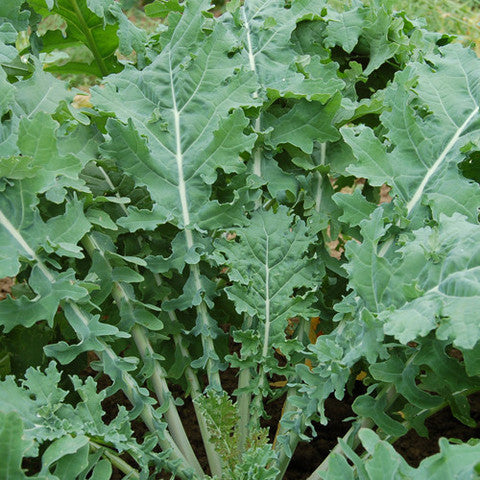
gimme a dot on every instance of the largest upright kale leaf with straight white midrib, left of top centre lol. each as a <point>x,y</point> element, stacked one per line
<point>172,130</point>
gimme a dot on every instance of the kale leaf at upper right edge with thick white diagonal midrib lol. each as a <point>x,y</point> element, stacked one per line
<point>429,121</point>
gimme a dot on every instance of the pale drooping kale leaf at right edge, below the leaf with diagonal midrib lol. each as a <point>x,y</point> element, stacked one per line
<point>445,280</point>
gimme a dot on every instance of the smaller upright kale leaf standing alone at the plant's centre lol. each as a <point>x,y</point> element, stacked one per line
<point>268,265</point>
